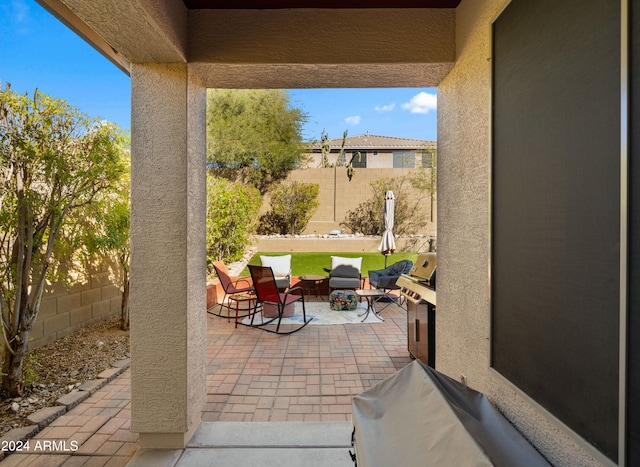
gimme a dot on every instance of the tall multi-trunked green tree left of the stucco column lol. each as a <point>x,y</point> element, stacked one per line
<point>53,160</point>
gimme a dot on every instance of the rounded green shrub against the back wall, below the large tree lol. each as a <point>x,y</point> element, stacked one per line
<point>292,205</point>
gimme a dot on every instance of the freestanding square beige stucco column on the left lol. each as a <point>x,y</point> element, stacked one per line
<point>168,262</point>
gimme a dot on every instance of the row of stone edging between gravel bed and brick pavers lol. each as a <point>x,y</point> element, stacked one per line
<point>43,417</point>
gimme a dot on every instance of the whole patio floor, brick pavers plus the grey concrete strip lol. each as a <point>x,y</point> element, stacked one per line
<point>252,376</point>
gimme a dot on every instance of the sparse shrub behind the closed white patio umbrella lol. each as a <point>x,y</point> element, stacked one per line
<point>411,191</point>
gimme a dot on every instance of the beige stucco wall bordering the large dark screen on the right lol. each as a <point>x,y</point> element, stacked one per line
<point>463,315</point>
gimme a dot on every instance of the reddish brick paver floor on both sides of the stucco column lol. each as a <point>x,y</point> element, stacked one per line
<point>252,375</point>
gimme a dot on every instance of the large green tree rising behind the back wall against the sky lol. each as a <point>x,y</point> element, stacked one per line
<point>253,136</point>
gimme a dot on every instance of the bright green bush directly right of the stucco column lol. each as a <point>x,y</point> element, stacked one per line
<point>232,216</point>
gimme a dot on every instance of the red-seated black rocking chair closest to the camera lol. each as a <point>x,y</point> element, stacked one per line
<point>269,296</point>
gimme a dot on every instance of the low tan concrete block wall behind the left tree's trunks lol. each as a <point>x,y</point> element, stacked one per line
<point>67,309</point>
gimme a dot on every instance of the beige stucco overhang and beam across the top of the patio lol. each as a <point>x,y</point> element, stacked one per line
<point>270,44</point>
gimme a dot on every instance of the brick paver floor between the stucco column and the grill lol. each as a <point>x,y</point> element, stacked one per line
<point>311,375</point>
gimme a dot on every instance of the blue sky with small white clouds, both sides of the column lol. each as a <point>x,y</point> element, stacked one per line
<point>37,51</point>
